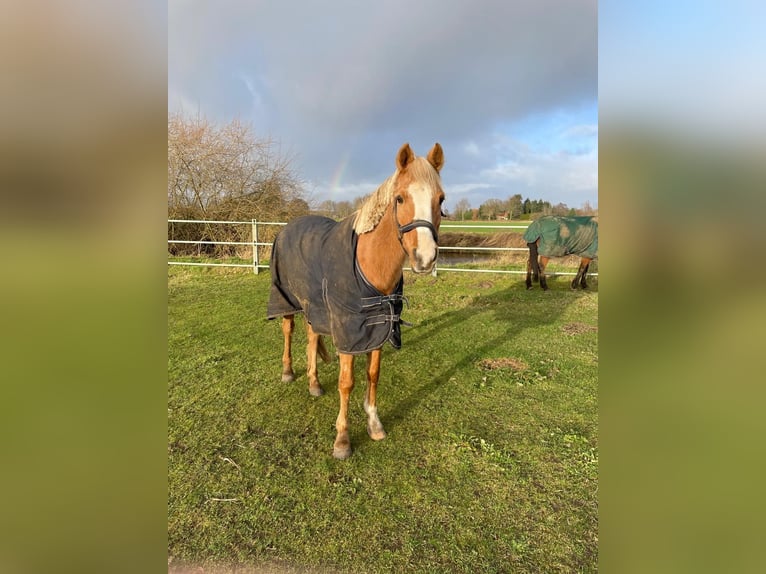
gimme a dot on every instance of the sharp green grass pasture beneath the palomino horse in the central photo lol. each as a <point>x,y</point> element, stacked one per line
<point>491,460</point>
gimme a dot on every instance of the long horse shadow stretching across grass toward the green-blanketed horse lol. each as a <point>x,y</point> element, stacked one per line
<point>514,309</point>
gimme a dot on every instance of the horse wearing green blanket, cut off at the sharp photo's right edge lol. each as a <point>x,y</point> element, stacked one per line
<point>558,236</point>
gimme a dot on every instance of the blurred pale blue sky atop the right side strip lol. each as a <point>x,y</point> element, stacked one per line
<point>694,66</point>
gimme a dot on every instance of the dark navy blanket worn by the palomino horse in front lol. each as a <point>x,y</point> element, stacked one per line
<point>314,271</point>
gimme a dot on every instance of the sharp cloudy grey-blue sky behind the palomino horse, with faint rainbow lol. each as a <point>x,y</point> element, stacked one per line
<point>509,89</point>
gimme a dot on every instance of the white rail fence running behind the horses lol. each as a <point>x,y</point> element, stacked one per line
<point>257,264</point>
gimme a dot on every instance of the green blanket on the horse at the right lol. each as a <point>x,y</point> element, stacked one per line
<point>560,236</point>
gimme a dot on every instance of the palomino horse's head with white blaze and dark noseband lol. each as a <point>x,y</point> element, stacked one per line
<point>417,201</point>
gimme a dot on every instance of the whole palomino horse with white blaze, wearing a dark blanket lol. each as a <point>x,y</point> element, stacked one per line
<point>346,278</point>
